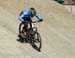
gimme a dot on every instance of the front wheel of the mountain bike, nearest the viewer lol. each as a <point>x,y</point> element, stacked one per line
<point>36,41</point>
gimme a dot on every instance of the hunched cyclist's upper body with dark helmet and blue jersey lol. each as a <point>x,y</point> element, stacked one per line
<point>28,14</point>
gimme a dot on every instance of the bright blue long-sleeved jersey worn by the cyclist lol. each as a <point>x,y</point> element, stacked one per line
<point>26,13</point>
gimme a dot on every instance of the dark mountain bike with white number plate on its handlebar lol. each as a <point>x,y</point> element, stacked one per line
<point>29,32</point>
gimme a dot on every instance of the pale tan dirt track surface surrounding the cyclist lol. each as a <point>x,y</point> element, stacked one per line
<point>57,30</point>
